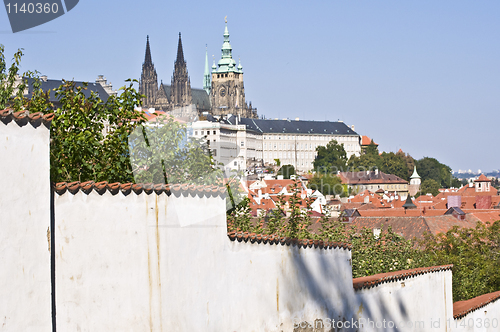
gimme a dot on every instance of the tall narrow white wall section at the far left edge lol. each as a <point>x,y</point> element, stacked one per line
<point>25,300</point>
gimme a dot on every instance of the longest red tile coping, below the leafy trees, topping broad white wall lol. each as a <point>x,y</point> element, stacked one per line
<point>148,188</point>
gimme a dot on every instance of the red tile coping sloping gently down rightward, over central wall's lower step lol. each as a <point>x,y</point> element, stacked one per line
<point>274,239</point>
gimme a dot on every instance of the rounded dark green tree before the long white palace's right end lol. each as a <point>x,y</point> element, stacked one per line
<point>330,159</point>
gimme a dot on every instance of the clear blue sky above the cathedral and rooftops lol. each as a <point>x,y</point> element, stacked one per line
<point>423,76</point>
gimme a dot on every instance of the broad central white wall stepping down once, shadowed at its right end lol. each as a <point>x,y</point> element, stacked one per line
<point>148,262</point>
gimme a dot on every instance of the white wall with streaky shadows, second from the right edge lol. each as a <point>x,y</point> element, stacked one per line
<point>420,303</point>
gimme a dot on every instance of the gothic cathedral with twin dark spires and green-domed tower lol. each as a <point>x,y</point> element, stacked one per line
<point>225,95</point>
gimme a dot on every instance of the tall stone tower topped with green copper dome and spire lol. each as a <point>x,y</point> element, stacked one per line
<point>228,93</point>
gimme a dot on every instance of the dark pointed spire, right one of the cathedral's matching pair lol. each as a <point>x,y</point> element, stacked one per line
<point>180,93</point>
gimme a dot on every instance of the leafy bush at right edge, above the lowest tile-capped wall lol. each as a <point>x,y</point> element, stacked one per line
<point>475,255</point>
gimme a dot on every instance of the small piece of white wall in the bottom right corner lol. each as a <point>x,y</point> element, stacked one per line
<point>485,319</point>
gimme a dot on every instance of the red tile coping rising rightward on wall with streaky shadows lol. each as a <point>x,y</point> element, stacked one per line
<point>377,279</point>
